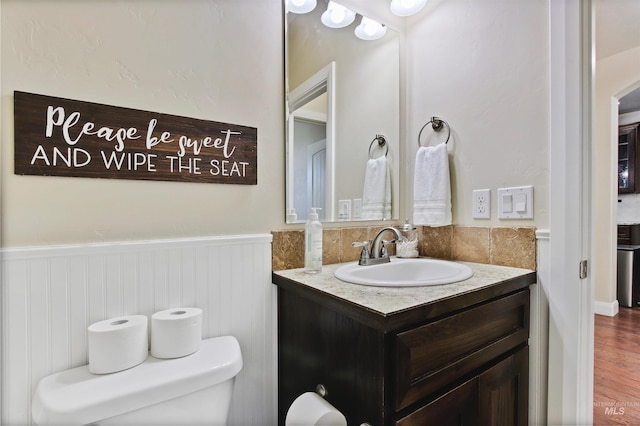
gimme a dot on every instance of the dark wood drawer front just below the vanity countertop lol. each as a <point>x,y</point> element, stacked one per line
<point>436,354</point>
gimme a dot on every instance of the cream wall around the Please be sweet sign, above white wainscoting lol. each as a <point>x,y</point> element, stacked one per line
<point>215,60</point>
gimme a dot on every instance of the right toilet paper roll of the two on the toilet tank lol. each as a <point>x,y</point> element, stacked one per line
<point>176,332</point>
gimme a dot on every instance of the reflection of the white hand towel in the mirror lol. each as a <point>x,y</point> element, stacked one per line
<point>376,197</point>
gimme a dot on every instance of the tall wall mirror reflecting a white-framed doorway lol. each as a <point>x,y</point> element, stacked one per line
<point>344,92</point>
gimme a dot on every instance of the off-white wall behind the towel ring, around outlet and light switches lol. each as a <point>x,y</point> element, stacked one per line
<point>483,67</point>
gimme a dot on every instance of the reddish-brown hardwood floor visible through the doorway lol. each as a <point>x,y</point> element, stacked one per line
<point>616,399</point>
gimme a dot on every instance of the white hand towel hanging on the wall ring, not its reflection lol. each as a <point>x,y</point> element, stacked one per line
<point>431,187</point>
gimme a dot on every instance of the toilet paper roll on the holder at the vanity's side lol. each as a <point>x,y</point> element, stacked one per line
<point>310,409</point>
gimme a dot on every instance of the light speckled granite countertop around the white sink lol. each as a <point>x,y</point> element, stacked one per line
<point>390,300</point>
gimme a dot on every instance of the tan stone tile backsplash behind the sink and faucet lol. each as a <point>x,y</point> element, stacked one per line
<point>506,246</point>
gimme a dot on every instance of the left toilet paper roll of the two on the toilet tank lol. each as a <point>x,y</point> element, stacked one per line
<point>117,344</point>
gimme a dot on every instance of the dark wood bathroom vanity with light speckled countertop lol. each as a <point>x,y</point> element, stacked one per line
<point>441,355</point>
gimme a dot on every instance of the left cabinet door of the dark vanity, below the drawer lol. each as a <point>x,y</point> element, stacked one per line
<point>457,407</point>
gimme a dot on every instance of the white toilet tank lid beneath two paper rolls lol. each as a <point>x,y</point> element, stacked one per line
<point>78,397</point>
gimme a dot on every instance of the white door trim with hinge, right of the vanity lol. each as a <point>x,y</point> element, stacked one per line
<point>570,392</point>
